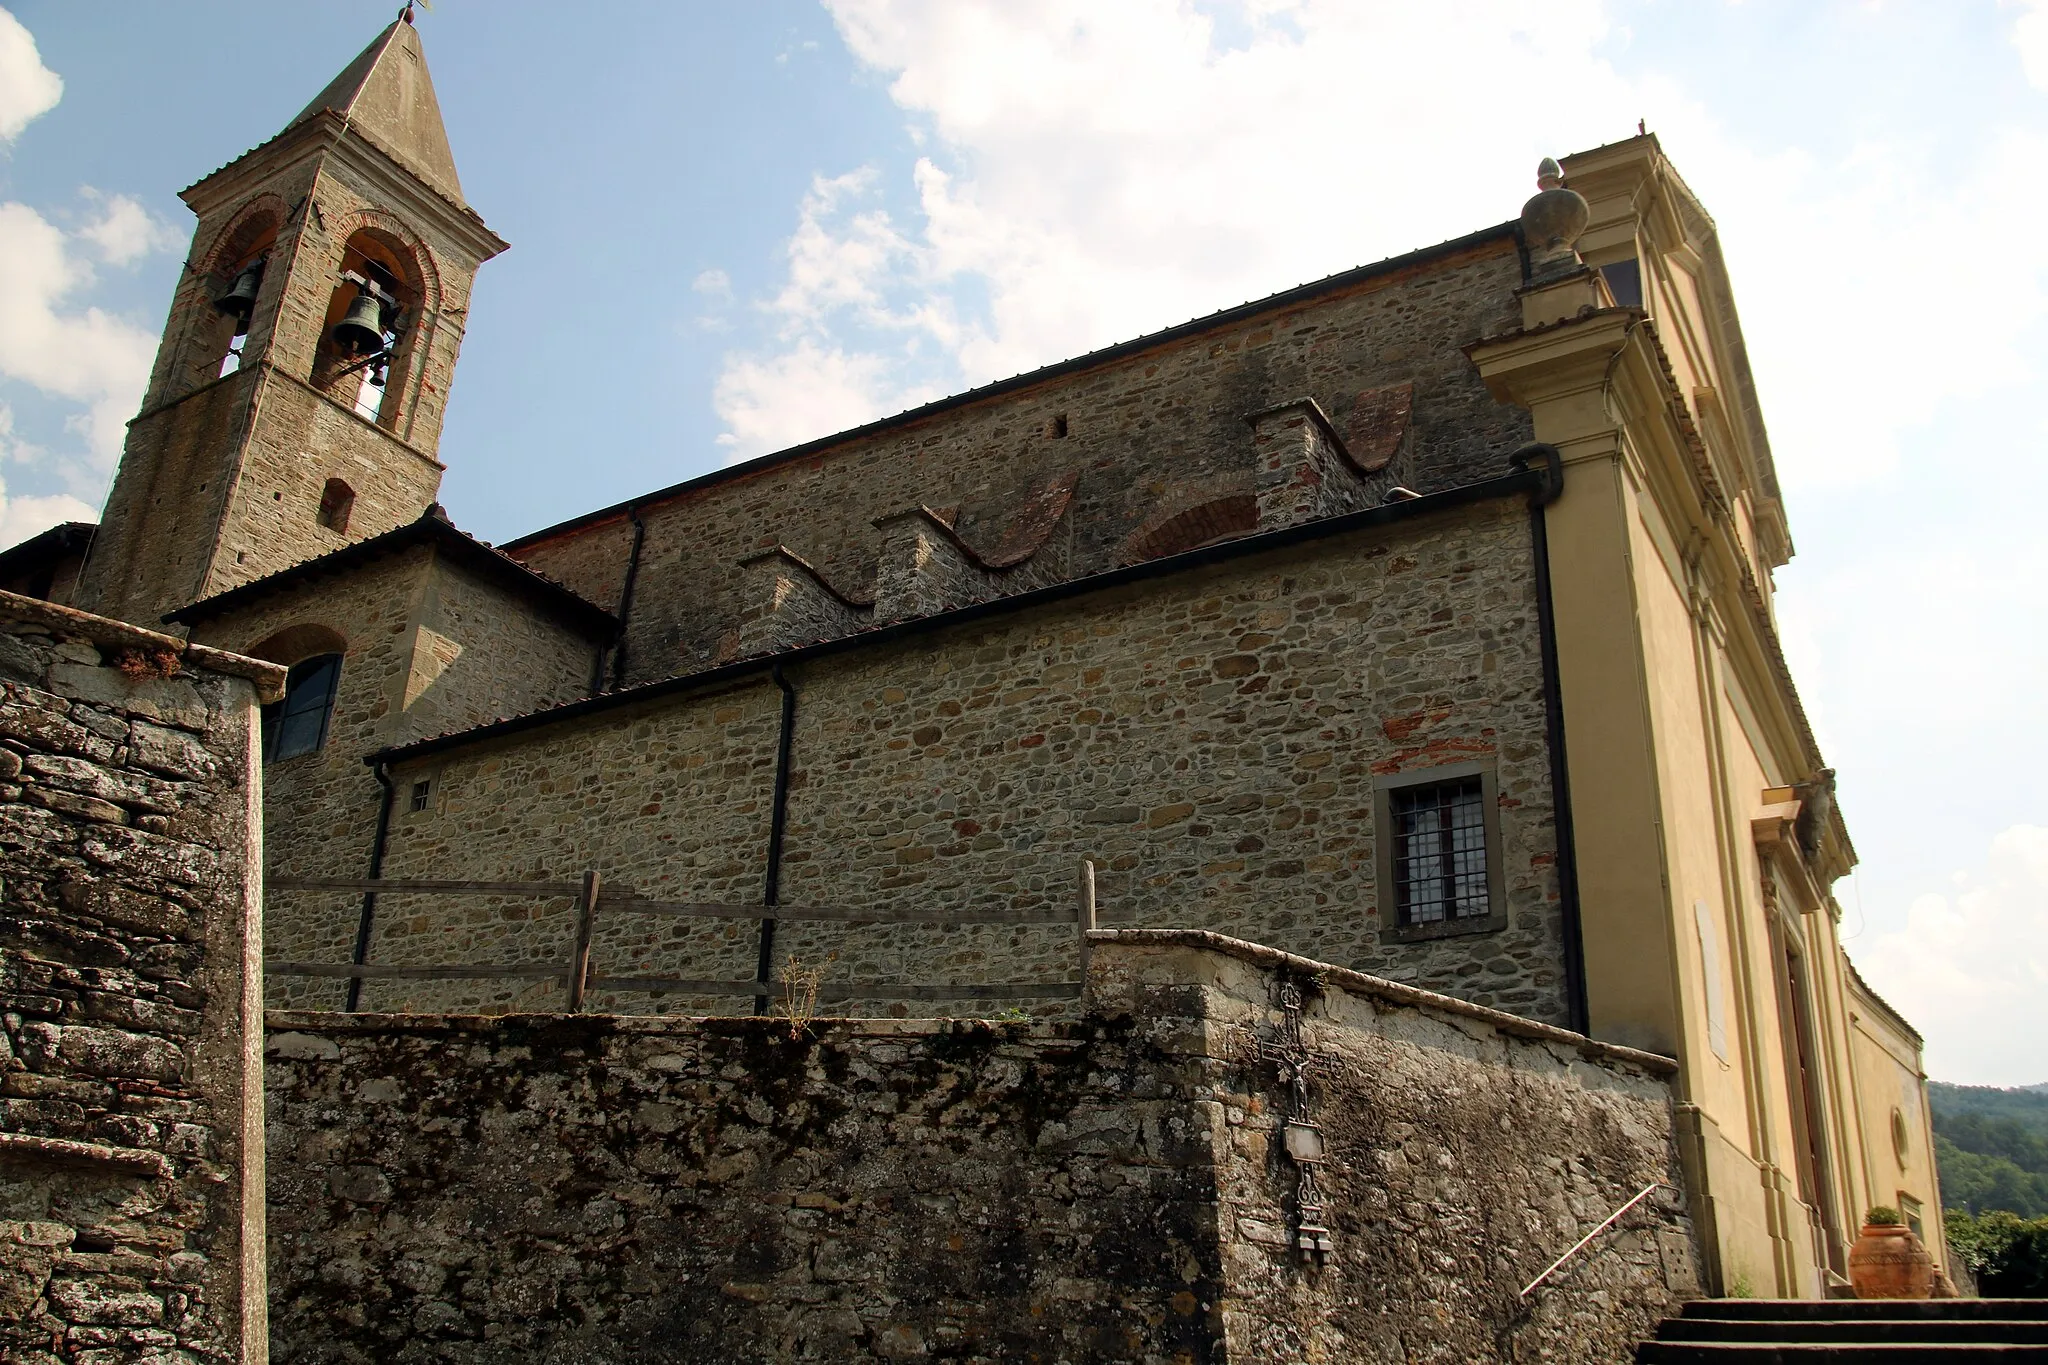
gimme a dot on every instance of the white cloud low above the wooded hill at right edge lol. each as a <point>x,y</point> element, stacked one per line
<point>1971,967</point>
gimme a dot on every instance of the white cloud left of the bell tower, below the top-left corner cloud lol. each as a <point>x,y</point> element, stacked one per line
<point>73,353</point>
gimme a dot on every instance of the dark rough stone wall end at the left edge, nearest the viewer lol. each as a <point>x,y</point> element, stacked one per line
<point>130,1100</point>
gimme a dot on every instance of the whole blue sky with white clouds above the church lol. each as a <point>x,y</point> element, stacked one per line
<point>738,226</point>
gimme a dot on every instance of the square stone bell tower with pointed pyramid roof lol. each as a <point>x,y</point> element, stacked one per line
<point>304,373</point>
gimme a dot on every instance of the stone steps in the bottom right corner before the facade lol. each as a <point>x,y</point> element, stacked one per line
<point>1850,1331</point>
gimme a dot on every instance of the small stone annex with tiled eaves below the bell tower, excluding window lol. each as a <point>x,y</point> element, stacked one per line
<point>429,648</point>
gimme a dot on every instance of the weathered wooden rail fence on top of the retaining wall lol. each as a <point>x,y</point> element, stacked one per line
<point>579,977</point>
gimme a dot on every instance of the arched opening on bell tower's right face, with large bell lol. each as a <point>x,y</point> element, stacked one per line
<point>366,341</point>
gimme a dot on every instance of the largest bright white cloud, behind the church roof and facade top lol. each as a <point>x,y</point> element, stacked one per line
<point>1105,171</point>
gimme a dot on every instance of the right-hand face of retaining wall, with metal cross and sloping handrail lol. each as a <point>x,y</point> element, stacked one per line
<point>1465,1153</point>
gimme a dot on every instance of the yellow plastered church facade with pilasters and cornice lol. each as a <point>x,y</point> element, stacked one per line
<point>1705,830</point>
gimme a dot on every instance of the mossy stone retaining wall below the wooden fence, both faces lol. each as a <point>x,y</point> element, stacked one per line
<point>595,1190</point>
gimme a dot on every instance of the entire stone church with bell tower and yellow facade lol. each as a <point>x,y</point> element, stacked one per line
<point>1416,621</point>
